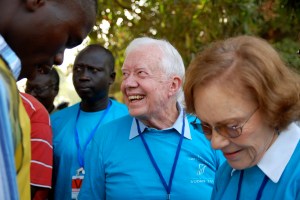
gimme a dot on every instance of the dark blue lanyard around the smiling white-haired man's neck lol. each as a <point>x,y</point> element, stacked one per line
<point>167,187</point>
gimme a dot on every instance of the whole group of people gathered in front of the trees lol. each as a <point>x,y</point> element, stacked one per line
<point>234,135</point>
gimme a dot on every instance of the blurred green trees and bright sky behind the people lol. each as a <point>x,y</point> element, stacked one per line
<point>189,25</point>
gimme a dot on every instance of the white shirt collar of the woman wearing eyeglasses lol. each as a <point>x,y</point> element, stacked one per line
<point>278,155</point>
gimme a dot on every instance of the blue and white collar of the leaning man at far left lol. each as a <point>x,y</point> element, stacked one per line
<point>10,58</point>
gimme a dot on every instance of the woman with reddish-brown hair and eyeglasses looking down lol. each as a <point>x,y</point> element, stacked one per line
<point>248,100</point>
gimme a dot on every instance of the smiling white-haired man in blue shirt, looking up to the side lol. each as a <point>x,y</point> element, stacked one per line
<point>155,152</point>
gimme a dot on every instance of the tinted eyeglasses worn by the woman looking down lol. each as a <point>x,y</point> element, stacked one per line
<point>225,130</point>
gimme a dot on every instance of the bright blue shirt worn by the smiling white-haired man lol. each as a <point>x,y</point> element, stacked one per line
<point>120,167</point>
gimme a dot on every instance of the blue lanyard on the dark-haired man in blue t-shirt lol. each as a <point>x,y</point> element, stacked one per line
<point>80,154</point>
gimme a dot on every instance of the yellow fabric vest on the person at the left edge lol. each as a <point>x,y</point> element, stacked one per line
<point>20,125</point>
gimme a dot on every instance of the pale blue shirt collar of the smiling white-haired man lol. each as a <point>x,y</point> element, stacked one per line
<point>177,126</point>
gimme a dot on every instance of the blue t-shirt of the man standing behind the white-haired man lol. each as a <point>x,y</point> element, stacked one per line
<point>65,150</point>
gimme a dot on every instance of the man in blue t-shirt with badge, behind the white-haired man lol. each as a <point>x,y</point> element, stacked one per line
<point>74,127</point>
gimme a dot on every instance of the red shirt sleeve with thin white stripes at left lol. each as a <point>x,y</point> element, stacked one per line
<point>41,142</point>
